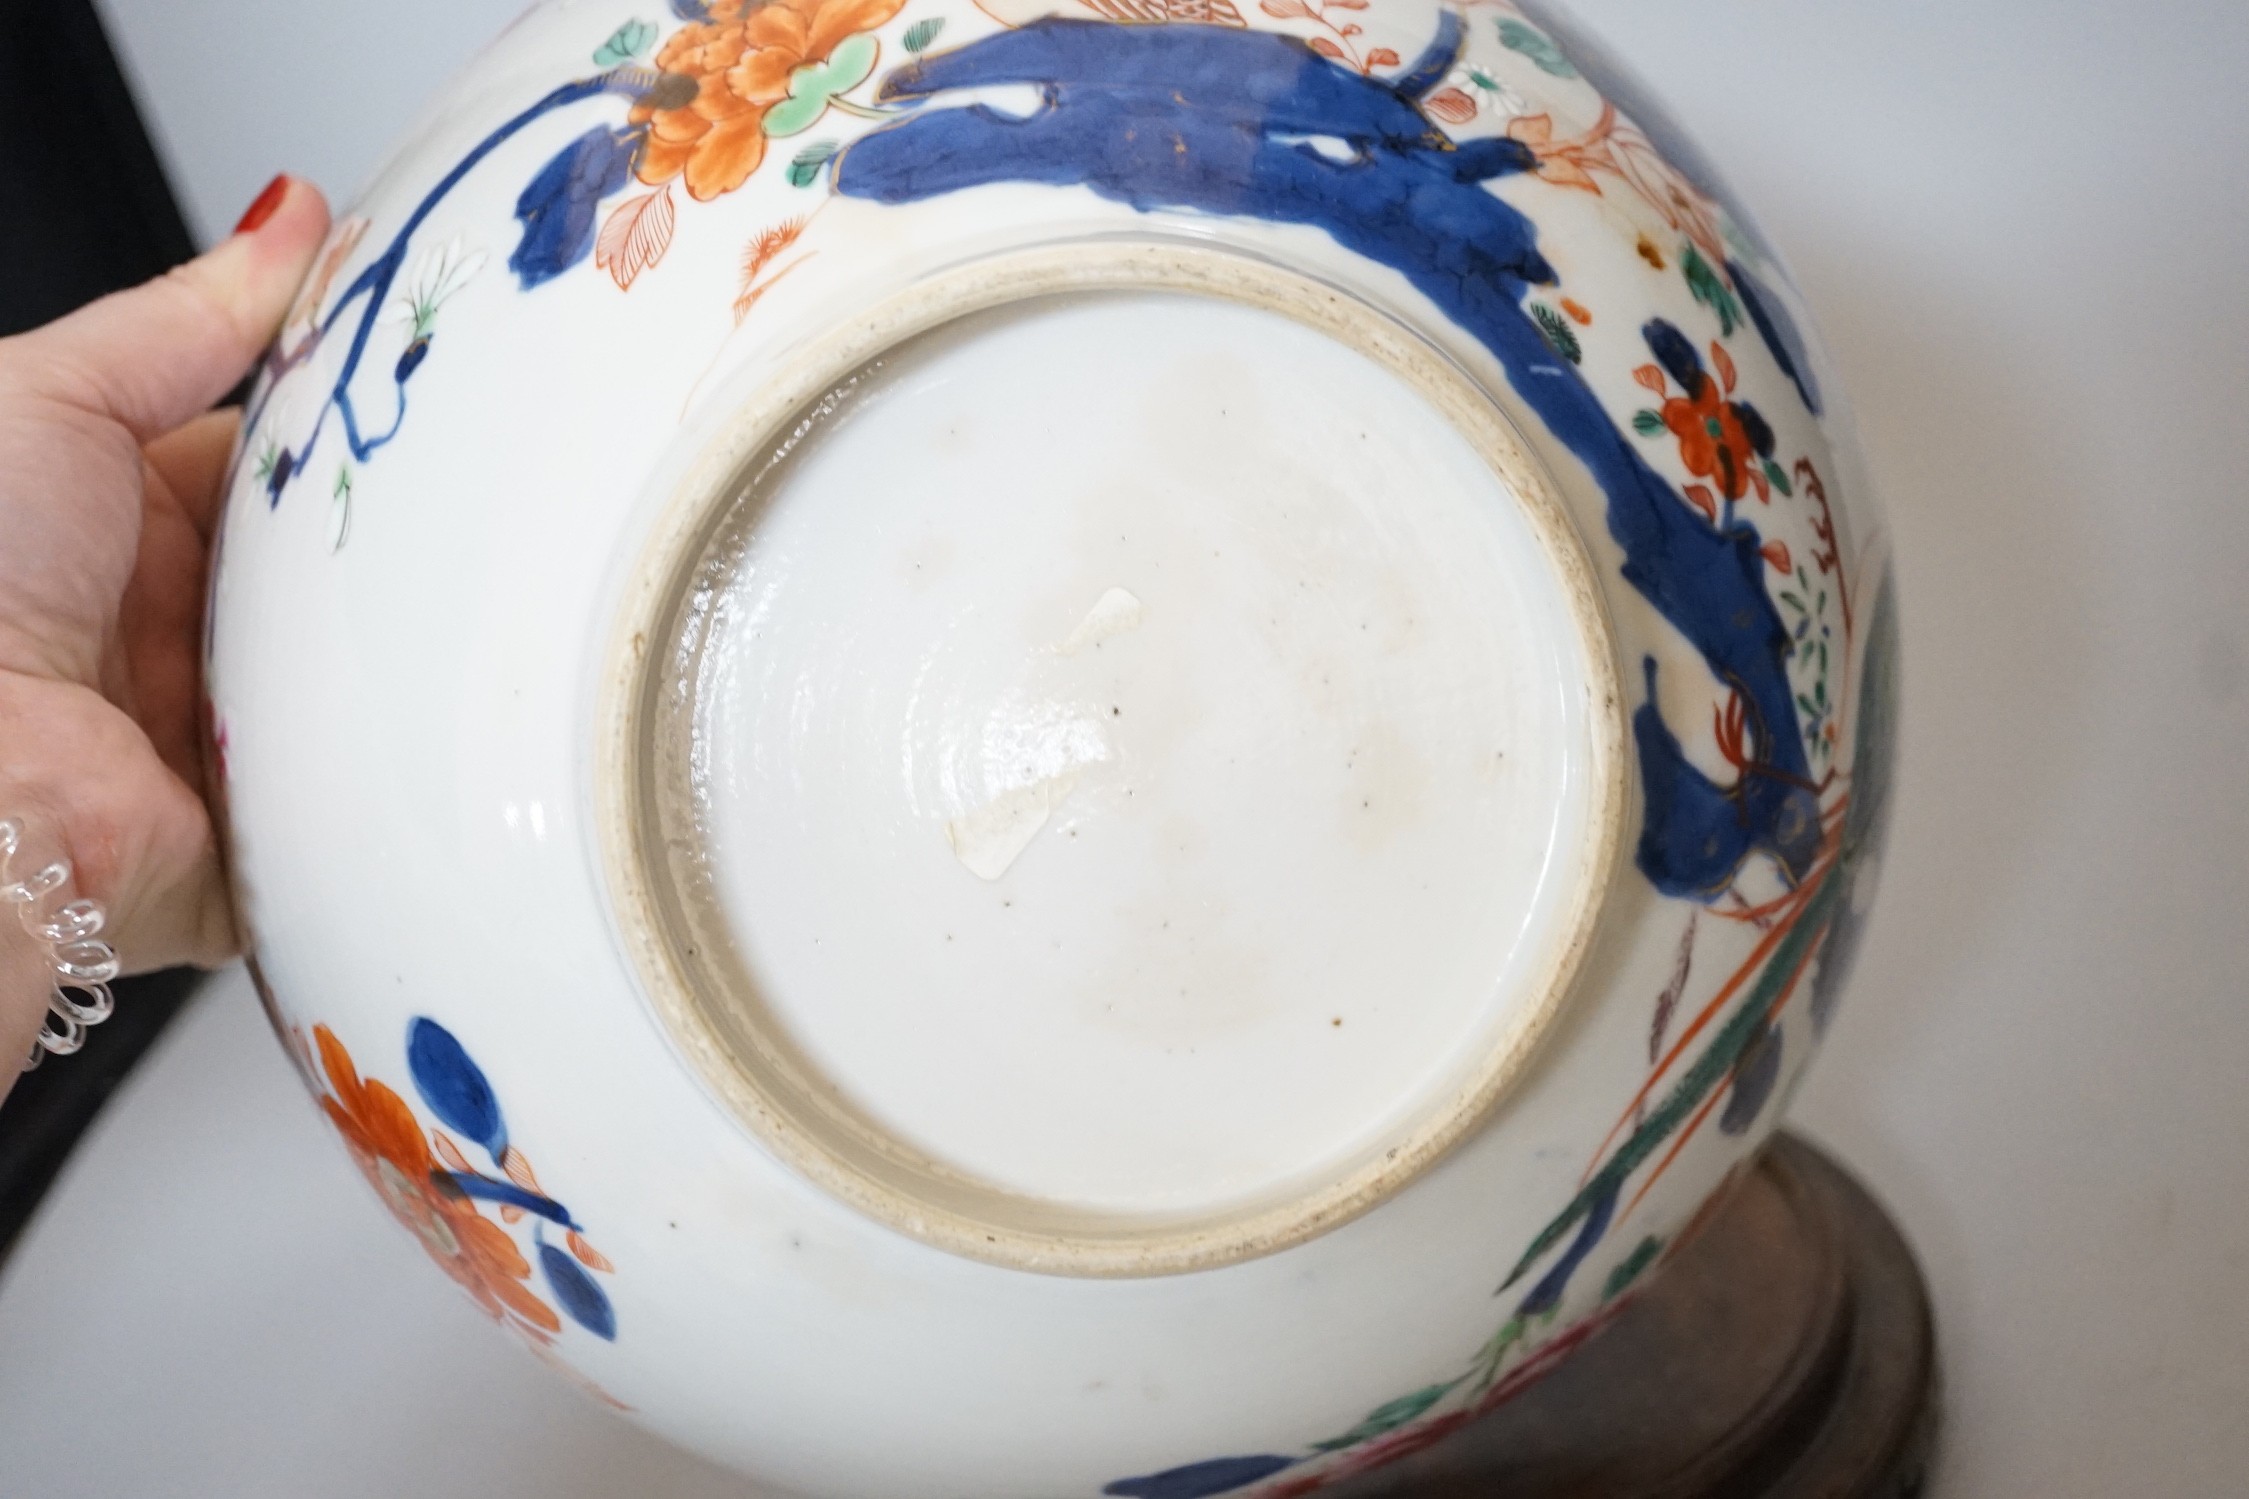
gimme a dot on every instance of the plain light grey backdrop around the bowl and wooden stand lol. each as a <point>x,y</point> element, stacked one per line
<point>2025,228</point>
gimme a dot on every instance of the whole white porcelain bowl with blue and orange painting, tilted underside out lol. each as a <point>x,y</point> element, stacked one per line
<point>1051,747</point>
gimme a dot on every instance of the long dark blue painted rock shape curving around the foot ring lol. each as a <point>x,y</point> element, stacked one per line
<point>1216,120</point>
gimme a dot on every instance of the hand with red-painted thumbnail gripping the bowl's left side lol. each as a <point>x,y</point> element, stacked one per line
<point>111,475</point>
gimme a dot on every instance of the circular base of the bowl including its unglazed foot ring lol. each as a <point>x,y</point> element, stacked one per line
<point>1126,767</point>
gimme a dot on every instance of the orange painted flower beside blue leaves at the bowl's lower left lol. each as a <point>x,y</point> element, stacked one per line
<point>395,1154</point>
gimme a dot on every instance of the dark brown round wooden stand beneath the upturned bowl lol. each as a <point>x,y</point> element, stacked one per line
<point>1787,1354</point>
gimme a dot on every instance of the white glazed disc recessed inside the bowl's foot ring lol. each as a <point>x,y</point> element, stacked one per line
<point>1238,662</point>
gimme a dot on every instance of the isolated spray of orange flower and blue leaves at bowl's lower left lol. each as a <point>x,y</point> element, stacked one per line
<point>431,1185</point>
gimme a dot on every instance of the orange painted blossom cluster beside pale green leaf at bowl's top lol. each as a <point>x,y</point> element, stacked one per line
<point>725,73</point>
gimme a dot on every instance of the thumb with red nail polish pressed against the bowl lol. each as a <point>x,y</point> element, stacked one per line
<point>165,352</point>
